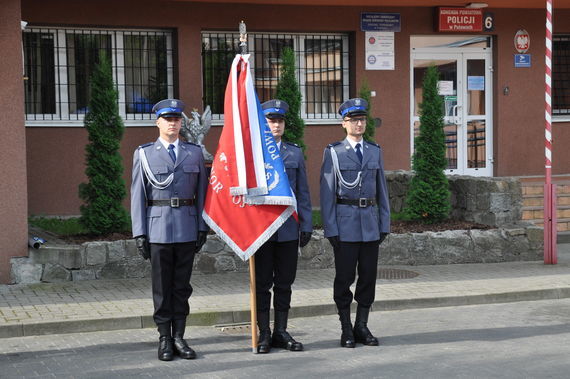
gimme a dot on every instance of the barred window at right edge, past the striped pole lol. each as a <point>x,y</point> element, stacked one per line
<point>561,75</point>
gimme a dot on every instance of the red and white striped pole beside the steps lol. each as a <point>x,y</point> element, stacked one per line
<point>549,188</point>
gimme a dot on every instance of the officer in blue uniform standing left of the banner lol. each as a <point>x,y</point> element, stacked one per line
<point>167,198</point>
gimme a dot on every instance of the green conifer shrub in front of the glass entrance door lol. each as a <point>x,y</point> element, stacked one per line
<point>428,199</point>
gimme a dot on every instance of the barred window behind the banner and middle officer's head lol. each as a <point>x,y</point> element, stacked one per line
<point>322,69</point>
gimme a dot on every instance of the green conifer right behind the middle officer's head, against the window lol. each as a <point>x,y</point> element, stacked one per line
<point>288,90</point>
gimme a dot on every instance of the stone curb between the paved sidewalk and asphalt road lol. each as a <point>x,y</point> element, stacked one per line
<point>243,316</point>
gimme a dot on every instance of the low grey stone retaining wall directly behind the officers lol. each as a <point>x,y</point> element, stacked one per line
<point>119,259</point>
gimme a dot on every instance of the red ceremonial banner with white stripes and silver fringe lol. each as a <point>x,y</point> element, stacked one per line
<point>235,176</point>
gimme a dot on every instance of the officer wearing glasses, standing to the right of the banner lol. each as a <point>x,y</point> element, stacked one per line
<point>356,218</point>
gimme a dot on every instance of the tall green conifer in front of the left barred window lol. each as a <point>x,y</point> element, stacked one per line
<point>103,211</point>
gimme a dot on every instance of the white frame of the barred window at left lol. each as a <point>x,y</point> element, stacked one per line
<point>62,116</point>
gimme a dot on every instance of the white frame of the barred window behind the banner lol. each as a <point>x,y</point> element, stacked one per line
<point>300,71</point>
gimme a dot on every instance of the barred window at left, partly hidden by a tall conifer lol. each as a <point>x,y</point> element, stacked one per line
<point>58,63</point>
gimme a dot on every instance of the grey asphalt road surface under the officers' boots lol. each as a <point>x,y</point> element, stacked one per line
<point>510,340</point>
